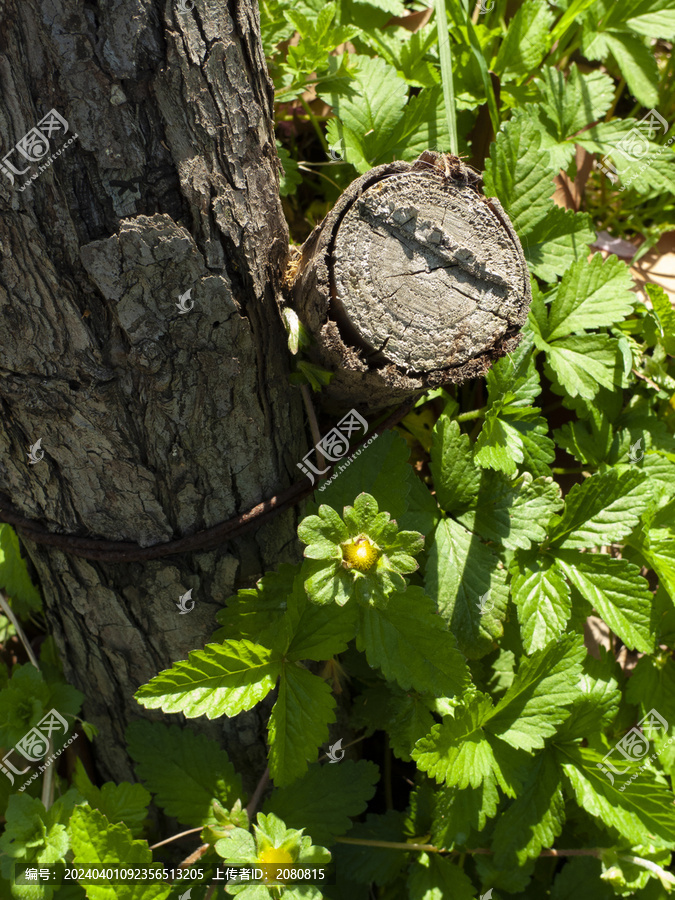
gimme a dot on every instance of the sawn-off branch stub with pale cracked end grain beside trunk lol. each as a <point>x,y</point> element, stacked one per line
<point>413,280</point>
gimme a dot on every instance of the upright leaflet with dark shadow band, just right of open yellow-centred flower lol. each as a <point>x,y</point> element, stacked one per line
<point>461,573</point>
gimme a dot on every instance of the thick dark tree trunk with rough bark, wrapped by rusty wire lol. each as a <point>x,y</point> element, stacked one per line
<point>140,339</point>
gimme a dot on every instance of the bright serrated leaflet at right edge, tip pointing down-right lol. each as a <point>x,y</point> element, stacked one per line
<point>617,591</point>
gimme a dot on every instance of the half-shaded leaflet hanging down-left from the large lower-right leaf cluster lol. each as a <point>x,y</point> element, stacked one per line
<point>535,818</point>
